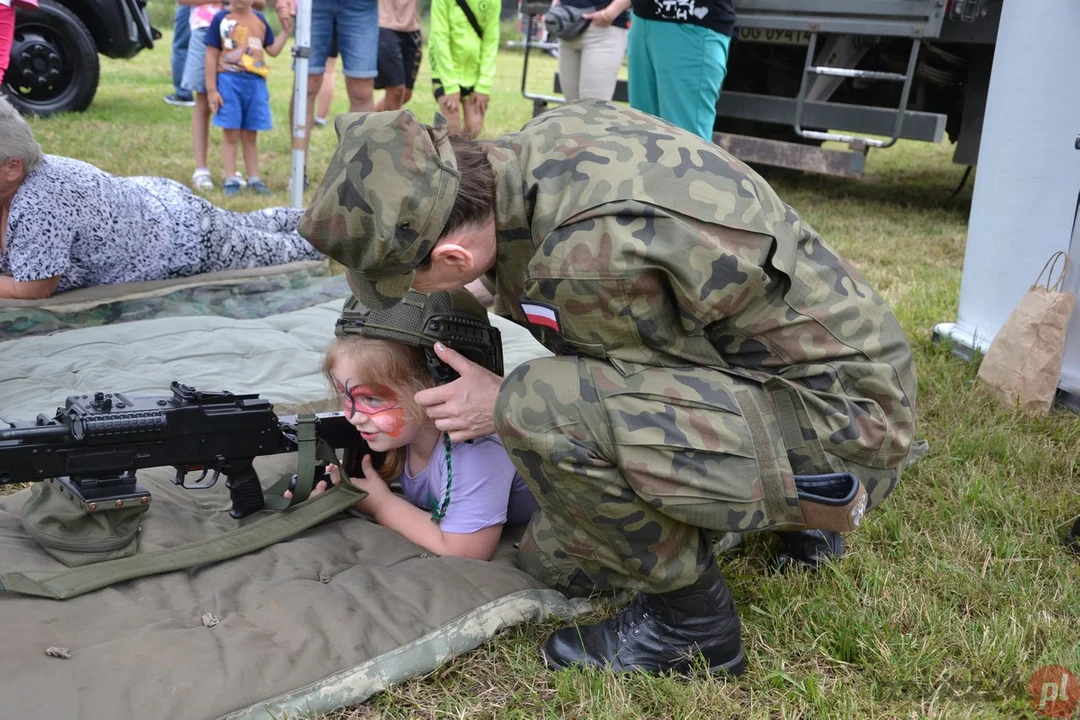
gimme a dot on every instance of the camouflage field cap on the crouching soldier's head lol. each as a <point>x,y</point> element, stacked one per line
<point>384,201</point>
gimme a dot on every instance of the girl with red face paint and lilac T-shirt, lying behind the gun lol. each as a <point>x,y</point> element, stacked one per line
<point>458,496</point>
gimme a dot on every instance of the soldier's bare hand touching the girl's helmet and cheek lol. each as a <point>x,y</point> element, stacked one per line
<point>466,407</point>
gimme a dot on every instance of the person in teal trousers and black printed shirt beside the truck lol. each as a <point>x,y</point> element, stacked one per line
<point>679,58</point>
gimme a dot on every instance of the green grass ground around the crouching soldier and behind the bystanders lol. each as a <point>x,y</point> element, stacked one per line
<point>953,593</point>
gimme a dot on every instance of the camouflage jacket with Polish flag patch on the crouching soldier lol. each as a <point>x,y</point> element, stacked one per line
<point>624,238</point>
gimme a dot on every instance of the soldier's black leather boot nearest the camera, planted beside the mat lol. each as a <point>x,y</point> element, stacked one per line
<point>660,634</point>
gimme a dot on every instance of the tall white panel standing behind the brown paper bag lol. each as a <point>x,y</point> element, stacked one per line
<point>1028,185</point>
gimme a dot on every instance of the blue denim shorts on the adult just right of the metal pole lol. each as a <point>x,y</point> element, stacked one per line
<point>357,26</point>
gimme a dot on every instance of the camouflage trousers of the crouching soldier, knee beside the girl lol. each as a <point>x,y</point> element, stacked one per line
<point>638,469</point>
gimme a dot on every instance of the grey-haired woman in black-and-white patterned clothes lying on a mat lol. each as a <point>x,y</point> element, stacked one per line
<point>65,225</point>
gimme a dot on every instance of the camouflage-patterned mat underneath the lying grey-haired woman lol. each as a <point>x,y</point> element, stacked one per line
<point>237,296</point>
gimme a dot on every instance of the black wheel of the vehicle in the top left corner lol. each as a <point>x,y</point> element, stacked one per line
<point>55,64</point>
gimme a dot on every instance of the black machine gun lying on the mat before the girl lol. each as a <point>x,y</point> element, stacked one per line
<point>94,445</point>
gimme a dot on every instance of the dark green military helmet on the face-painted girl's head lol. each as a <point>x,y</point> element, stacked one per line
<point>456,319</point>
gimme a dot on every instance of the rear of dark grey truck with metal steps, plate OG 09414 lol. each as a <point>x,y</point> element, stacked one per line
<point>861,73</point>
